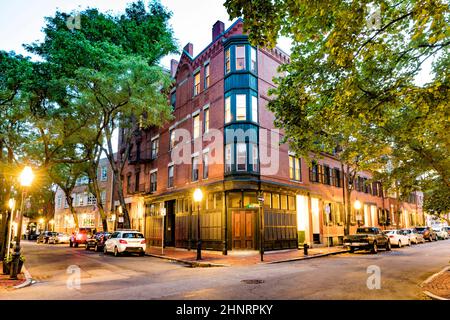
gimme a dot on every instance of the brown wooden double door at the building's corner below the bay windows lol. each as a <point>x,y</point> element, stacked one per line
<point>243,229</point>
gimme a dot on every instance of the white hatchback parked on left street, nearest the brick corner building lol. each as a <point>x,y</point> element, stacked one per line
<point>129,241</point>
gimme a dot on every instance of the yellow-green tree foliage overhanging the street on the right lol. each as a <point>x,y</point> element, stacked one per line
<point>356,63</point>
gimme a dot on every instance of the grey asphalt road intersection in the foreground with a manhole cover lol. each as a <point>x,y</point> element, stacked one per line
<point>342,276</point>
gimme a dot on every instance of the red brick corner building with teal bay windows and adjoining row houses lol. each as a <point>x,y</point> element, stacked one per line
<point>223,140</point>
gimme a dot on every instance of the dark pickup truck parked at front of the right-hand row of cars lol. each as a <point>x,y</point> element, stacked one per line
<point>367,238</point>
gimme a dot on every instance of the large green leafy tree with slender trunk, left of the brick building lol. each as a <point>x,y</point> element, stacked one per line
<point>107,71</point>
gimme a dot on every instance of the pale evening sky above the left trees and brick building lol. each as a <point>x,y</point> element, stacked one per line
<point>21,21</point>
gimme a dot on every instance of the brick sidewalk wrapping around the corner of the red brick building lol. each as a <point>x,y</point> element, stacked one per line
<point>239,258</point>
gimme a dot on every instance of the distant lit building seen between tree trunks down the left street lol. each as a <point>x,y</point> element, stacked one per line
<point>85,203</point>
